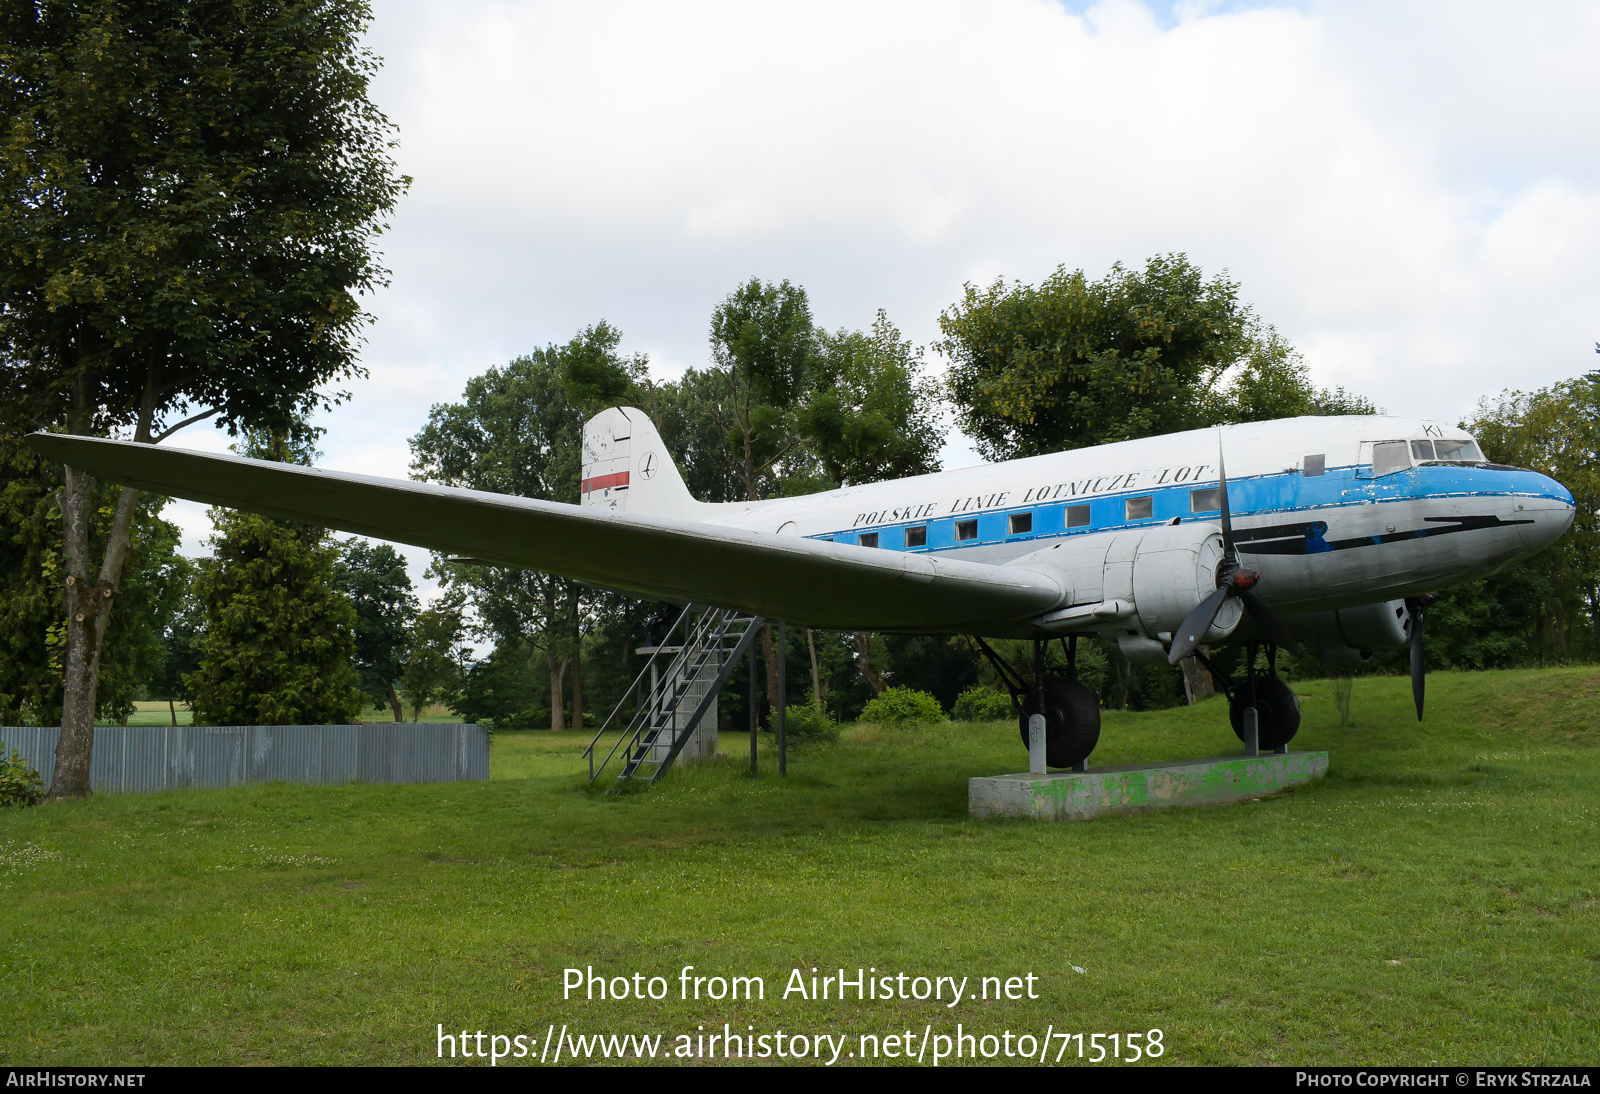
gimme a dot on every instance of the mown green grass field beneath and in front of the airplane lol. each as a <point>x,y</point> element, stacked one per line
<point>1436,898</point>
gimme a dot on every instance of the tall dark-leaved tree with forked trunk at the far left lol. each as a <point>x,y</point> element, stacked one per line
<point>190,196</point>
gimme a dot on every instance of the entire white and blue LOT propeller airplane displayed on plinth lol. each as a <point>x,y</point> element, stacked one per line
<point>1332,532</point>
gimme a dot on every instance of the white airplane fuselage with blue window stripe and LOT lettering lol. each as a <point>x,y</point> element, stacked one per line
<point>1335,513</point>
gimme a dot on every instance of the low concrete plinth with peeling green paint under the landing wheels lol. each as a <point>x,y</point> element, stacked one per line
<point>1079,796</point>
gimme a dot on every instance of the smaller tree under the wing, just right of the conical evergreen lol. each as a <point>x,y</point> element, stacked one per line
<point>375,580</point>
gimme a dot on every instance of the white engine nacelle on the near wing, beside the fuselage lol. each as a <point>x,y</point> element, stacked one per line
<point>1138,586</point>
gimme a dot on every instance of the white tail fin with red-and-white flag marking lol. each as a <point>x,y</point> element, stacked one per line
<point>628,469</point>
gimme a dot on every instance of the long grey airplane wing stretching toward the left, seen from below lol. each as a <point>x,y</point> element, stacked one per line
<point>804,581</point>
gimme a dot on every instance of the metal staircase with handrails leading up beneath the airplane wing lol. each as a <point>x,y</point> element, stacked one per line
<point>673,693</point>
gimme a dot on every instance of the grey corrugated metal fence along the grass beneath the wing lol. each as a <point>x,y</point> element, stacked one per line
<point>142,759</point>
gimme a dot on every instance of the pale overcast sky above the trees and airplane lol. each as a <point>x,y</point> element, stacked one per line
<point>1410,193</point>
